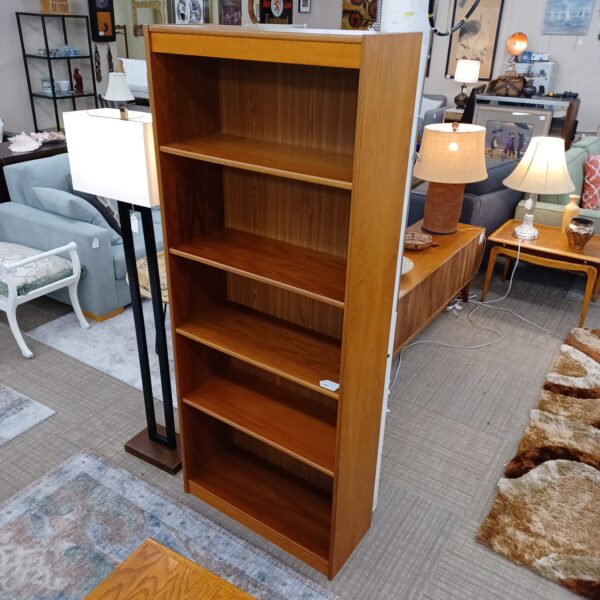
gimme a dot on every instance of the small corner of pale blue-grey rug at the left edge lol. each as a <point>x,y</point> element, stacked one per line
<point>19,413</point>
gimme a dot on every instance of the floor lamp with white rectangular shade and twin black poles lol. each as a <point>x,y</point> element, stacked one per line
<point>114,157</point>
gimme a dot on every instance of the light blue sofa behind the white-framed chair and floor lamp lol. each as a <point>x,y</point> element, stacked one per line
<point>103,288</point>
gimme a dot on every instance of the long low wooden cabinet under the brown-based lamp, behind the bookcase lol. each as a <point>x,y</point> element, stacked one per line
<point>440,273</point>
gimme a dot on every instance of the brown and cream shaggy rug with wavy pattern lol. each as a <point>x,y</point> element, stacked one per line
<point>547,511</point>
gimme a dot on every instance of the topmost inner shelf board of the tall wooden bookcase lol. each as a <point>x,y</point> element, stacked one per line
<point>282,160</point>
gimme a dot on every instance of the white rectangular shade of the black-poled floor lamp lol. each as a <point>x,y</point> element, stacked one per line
<point>111,157</point>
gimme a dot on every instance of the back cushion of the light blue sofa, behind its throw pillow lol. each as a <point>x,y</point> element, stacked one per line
<point>21,178</point>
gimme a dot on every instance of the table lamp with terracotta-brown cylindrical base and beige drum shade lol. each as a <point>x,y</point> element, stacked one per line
<point>450,156</point>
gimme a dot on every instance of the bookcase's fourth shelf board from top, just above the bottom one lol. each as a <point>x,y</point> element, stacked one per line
<point>287,421</point>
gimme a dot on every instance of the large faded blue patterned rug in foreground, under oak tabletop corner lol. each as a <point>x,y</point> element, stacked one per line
<point>64,534</point>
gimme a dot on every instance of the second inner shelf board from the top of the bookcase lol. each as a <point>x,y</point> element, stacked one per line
<point>322,276</point>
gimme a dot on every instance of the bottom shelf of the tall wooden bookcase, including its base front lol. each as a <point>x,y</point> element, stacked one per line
<point>275,504</point>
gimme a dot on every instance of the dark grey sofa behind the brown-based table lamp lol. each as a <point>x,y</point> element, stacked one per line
<point>486,203</point>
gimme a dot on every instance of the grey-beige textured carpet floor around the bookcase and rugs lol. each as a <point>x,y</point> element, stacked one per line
<point>455,419</point>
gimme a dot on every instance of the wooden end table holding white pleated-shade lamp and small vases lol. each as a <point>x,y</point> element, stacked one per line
<point>551,249</point>
